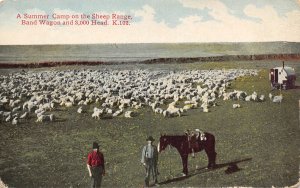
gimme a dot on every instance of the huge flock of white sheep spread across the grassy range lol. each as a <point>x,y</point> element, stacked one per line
<point>114,93</point>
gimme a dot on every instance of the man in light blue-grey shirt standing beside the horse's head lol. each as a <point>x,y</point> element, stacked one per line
<point>149,160</point>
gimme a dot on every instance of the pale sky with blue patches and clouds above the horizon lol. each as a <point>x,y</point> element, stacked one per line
<point>154,21</point>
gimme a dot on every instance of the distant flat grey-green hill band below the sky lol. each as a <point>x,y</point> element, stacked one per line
<point>115,53</point>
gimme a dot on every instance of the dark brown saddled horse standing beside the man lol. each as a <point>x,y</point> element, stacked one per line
<point>184,146</point>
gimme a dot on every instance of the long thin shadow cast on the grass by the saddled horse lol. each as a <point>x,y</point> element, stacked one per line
<point>204,170</point>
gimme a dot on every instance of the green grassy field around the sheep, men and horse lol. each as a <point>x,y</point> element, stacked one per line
<point>261,138</point>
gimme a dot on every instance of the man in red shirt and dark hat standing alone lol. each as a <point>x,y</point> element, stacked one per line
<point>95,165</point>
